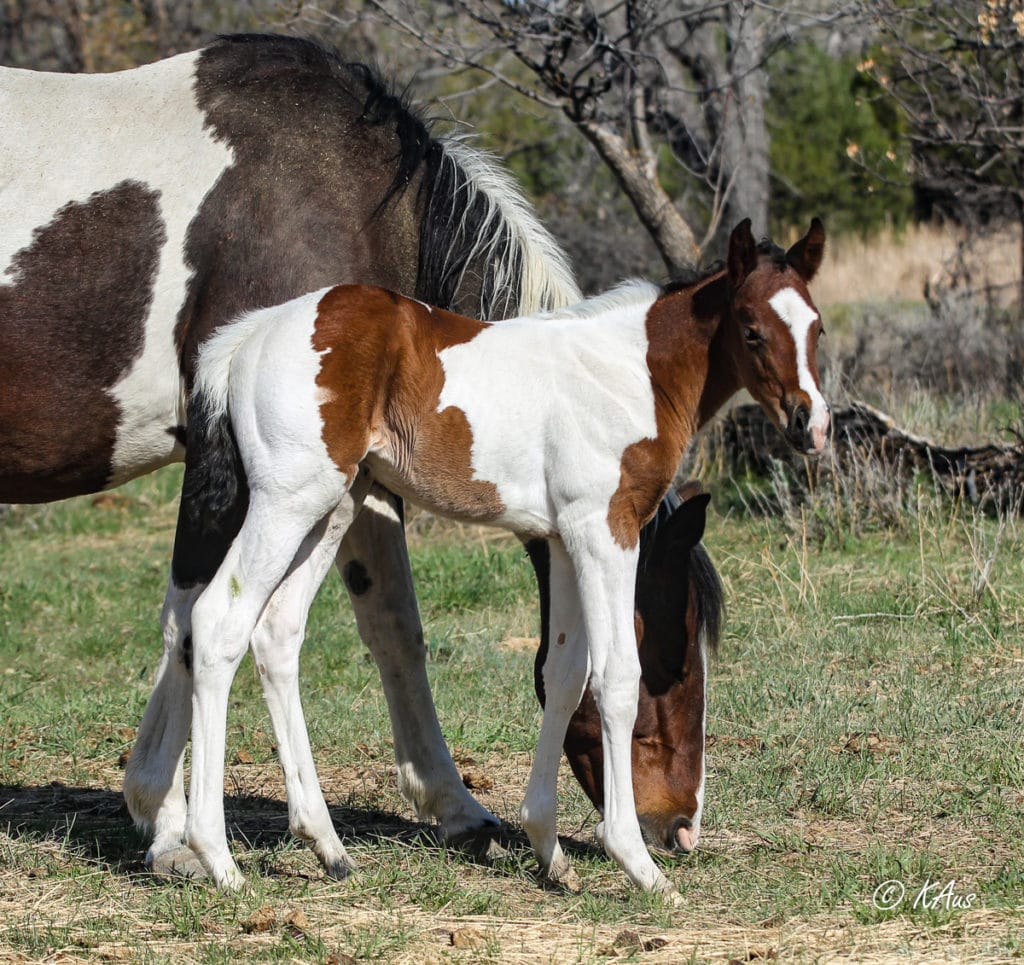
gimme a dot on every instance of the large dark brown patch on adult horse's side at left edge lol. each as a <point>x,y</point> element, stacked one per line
<point>72,323</point>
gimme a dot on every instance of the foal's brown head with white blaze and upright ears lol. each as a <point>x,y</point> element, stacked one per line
<point>773,316</point>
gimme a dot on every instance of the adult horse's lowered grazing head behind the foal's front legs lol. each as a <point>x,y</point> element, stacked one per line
<point>678,615</point>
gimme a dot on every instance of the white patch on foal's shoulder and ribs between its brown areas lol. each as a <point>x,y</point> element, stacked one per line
<point>522,381</point>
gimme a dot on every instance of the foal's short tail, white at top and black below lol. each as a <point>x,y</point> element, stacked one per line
<point>216,478</point>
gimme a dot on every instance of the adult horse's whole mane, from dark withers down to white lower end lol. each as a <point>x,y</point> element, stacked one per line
<point>480,245</point>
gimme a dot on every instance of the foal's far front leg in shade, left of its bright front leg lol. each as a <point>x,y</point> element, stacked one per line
<point>566,674</point>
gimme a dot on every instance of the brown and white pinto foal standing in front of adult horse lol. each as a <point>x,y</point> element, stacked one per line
<point>567,427</point>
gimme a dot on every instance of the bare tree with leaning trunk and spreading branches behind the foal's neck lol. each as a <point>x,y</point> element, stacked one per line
<point>668,94</point>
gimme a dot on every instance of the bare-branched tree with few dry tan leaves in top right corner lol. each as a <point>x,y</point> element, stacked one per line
<point>957,72</point>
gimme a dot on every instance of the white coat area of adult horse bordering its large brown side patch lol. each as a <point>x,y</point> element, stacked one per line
<point>68,137</point>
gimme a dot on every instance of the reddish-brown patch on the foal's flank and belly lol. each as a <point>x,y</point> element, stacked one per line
<point>382,383</point>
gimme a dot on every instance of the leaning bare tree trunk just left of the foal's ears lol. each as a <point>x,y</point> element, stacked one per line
<point>660,217</point>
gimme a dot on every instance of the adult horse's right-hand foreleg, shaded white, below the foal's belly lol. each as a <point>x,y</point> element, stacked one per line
<point>374,564</point>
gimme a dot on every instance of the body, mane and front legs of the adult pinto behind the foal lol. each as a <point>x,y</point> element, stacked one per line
<point>143,209</point>
